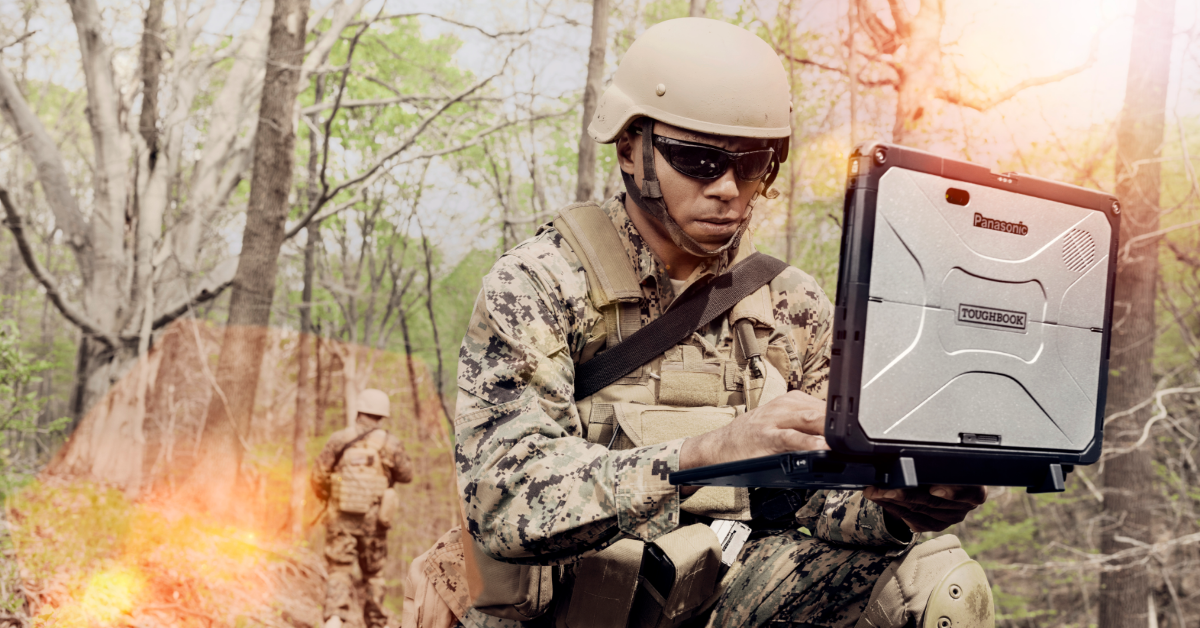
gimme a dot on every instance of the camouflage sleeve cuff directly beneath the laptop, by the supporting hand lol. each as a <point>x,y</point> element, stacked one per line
<point>847,518</point>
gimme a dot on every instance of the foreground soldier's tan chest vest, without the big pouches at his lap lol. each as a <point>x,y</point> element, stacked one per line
<point>692,390</point>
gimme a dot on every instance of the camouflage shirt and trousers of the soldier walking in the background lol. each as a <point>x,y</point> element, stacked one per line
<point>357,539</point>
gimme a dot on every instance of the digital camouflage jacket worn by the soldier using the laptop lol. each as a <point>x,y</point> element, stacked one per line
<point>535,489</point>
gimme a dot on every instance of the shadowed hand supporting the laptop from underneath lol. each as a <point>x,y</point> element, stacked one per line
<point>928,509</point>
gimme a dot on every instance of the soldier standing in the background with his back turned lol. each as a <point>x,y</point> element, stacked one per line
<point>355,475</point>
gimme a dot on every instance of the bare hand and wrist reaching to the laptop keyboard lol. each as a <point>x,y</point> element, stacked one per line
<point>790,423</point>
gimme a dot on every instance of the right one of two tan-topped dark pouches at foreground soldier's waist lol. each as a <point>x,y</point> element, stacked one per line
<point>695,553</point>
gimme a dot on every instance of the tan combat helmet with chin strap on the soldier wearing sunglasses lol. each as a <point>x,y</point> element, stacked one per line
<point>705,76</point>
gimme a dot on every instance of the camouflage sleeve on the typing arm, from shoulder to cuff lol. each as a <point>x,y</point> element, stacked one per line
<point>535,489</point>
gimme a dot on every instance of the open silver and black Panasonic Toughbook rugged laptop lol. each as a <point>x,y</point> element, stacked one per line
<point>971,337</point>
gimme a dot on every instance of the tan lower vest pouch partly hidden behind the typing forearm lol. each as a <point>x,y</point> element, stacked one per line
<point>646,426</point>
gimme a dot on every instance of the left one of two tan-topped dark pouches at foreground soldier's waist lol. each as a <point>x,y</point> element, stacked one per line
<point>605,584</point>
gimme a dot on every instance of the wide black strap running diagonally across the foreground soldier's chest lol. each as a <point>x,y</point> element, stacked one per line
<point>694,313</point>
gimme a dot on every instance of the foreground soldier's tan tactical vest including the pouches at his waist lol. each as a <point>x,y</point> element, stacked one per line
<point>692,390</point>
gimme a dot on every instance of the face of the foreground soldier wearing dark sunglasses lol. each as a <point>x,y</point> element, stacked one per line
<point>709,211</point>
